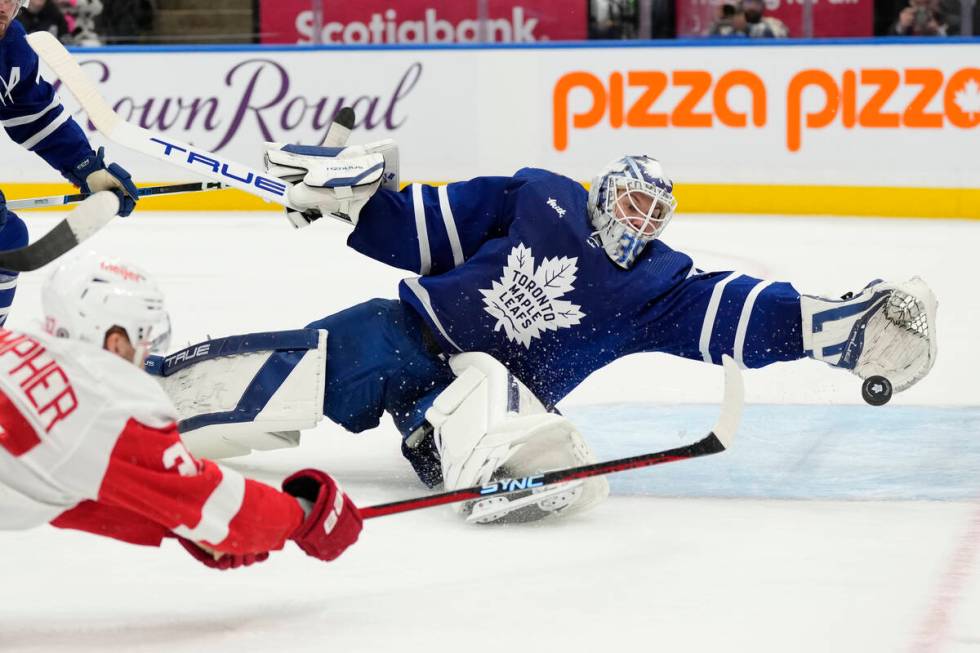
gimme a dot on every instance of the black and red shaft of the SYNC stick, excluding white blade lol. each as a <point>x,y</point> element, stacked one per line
<point>704,447</point>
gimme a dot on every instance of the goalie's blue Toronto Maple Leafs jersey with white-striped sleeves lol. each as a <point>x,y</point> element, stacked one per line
<point>509,266</point>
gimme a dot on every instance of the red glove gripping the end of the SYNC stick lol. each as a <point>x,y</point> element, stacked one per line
<point>332,523</point>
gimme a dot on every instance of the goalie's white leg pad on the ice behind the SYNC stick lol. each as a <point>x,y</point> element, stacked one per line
<point>488,425</point>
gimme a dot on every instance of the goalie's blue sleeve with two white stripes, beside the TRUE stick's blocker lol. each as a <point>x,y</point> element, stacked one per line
<point>433,229</point>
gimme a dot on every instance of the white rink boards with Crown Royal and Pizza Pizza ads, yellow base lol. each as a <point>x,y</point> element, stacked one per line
<point>798,127</point>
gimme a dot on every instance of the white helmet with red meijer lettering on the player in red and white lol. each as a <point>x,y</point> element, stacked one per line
<point>85,297</point>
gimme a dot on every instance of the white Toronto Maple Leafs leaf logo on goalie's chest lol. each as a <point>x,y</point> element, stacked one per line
<point>526,301</point>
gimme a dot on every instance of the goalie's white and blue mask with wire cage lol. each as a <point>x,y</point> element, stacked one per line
<point>630,203</point>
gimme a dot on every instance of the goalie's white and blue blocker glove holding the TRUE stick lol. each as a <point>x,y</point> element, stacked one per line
<point>335,181</point>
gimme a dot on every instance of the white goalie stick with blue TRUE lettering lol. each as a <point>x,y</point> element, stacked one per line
<point>117,130</point>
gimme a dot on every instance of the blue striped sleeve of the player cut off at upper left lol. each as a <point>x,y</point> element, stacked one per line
<point>30,111</point>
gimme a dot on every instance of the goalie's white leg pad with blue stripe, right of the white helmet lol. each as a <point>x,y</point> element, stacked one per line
<point>243,393</point>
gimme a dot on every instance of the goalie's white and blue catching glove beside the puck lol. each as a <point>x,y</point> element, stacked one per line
<point>888,329</point>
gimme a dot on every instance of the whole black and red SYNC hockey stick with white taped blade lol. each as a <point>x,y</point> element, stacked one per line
<point>719,439</point>
